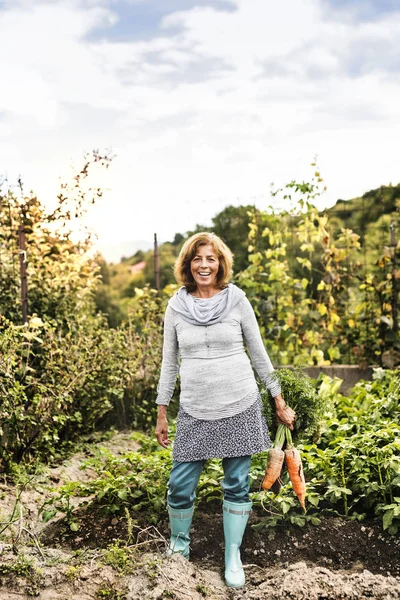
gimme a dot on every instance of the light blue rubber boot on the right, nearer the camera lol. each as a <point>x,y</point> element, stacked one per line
<point>235,520</point>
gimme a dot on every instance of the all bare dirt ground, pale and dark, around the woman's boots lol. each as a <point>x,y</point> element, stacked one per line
<point>338,559</point>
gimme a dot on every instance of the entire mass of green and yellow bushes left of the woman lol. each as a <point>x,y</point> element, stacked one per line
<point>66,372</point>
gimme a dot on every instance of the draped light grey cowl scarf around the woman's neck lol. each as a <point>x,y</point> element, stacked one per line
<point>206,311</point>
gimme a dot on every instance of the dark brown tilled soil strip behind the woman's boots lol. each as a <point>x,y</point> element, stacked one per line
<point>334,544</point>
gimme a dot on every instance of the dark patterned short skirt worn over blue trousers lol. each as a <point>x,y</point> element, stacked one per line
<point>241,435</point>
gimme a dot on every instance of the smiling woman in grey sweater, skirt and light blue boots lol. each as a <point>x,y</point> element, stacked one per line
<point>206,325</point>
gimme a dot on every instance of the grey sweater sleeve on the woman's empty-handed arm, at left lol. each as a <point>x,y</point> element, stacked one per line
<point>170,362</point>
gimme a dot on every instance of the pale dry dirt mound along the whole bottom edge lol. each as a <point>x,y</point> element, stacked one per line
<point>157,577</point>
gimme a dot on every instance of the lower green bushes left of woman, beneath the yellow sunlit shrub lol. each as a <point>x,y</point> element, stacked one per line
<point>56,386</point>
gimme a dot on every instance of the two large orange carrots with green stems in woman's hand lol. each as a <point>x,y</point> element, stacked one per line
<point>291,456</point>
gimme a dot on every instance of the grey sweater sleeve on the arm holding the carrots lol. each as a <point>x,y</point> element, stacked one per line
<point>258,354</point>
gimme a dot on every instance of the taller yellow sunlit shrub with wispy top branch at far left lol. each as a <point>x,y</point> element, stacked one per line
<point>61,275</point>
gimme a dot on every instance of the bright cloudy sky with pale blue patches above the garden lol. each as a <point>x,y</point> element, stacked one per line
<point>204,103</point>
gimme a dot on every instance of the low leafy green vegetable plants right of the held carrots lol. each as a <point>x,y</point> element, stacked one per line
<point>354,469</point>
